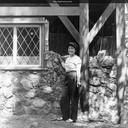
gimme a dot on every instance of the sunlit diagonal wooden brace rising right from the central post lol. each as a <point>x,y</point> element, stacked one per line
<point>98,25</point>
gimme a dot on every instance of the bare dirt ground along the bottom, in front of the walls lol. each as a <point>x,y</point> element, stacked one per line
<point>49,122</point>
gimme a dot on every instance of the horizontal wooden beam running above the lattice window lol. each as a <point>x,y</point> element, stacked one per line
<point>39,11</point>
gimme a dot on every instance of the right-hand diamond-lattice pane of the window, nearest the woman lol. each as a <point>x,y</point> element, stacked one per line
<point>28,50</point>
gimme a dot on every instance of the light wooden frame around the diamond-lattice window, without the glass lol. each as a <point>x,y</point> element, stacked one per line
<point>44,37</point>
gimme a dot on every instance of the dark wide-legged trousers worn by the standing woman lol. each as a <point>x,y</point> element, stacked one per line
<point>70,96</point>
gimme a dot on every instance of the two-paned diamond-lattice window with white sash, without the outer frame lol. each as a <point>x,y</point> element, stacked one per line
<point>20,45</point>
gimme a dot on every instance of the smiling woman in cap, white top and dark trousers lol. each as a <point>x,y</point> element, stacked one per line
<point>70,94</point>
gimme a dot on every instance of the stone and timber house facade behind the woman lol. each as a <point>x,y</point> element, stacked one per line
<point>32,34</point>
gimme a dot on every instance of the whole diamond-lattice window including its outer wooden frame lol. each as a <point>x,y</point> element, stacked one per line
<point>23,42</point>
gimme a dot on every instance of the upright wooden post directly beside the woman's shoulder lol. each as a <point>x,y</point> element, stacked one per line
<point>84,54</point>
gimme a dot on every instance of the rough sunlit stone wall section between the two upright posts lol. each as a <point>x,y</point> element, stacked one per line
<point>102,95</point>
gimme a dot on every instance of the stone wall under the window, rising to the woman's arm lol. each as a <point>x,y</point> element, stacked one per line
<point>32,92</point>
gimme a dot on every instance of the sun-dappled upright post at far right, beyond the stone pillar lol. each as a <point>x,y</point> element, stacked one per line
<point>121,65</point>
